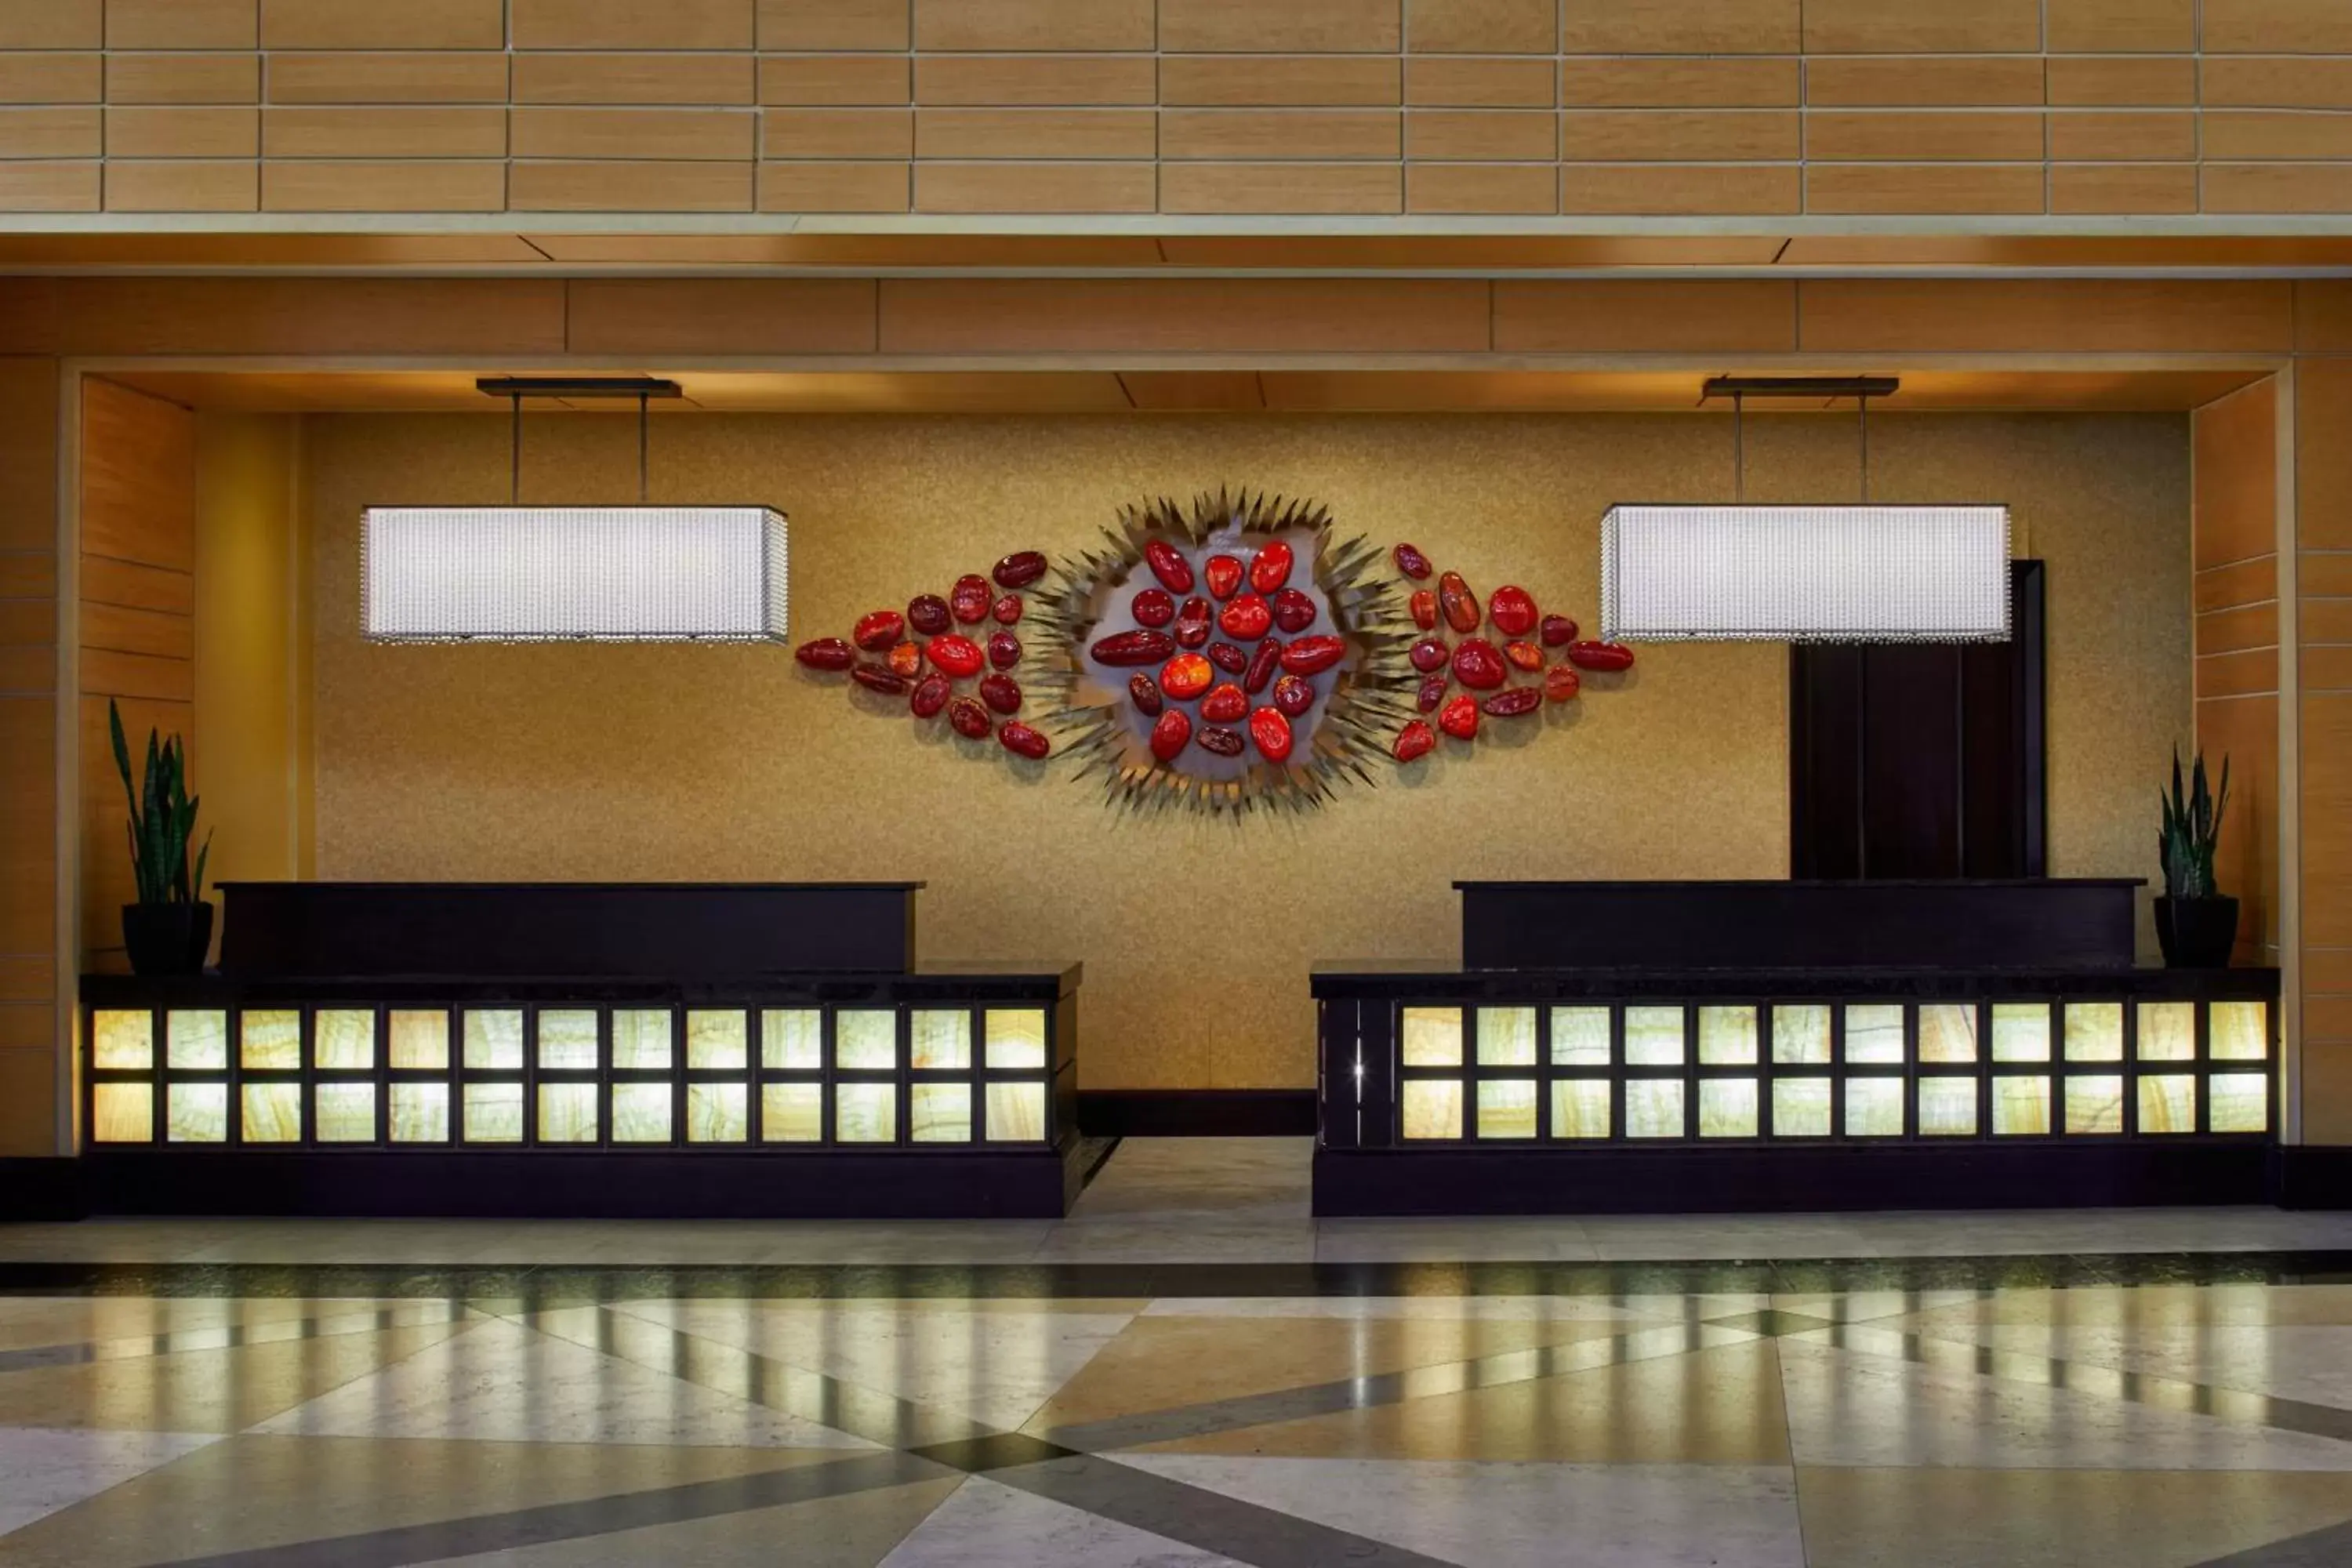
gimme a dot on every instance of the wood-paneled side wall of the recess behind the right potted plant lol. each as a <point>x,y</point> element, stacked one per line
<point>2238,645</point>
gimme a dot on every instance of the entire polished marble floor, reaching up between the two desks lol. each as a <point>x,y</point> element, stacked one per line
<point>1184,1374</point>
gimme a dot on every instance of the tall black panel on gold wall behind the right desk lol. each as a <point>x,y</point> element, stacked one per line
<point>1923,760</point>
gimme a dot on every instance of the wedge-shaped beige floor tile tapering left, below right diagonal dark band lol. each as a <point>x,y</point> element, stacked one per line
<point>1711,1407</point>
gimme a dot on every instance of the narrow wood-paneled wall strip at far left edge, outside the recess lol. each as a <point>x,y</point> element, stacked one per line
<point>29,758</point>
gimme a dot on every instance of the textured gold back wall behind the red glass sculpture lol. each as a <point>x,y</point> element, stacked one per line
<point>733,763</point>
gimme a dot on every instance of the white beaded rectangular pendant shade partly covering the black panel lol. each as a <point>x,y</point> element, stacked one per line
<point>1805,575</point>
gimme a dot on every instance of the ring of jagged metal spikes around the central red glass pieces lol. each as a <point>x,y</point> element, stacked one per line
<point>1368,697</point>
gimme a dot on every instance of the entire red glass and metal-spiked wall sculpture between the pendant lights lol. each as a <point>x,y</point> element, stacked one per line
<point>1224,657</point>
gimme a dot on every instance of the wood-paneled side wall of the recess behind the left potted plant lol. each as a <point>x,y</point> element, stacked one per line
<point>138,641</point>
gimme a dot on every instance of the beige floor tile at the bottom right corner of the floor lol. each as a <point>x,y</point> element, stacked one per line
<point>2054,1517</point>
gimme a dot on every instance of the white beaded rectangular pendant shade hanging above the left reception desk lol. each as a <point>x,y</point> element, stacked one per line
<point>573,575</point>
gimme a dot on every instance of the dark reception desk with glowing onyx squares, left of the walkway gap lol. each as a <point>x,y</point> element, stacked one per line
<point>624,1050</point>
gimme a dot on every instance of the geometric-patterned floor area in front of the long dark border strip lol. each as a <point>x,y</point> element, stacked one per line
<point>1939,1426</point>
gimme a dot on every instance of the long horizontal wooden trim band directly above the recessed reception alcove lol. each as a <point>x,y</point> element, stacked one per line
<point>488,321</point>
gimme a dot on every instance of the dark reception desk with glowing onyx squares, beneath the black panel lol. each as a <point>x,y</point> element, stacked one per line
<point>1561,1085</point>
